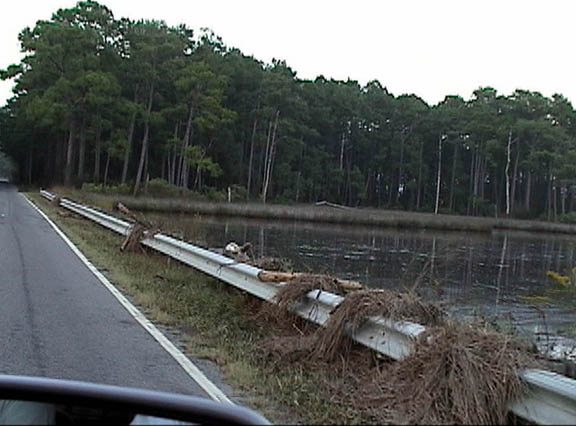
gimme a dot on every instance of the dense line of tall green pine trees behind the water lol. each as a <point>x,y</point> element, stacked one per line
<point>106,100</point>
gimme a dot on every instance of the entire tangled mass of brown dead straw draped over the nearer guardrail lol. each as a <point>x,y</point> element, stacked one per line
<point>457,373</point>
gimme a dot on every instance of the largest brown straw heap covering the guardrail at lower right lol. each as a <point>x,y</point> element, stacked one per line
<point>461,374</point>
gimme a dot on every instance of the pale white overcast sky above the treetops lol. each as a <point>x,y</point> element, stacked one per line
<point>431,48</point>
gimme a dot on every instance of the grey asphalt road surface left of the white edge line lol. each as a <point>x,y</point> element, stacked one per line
<point>57,320</point>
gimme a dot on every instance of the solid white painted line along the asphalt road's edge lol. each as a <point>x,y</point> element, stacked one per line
<point>188,366</point>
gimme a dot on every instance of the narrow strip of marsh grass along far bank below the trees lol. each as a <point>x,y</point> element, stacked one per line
<point>359,216</point>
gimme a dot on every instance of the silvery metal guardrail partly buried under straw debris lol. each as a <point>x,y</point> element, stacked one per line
<point>551,398</point>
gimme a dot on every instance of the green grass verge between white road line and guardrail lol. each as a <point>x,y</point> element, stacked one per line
<point>216,322</point>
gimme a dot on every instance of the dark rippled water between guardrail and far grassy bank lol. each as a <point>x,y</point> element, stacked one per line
<point>496,276</point>
